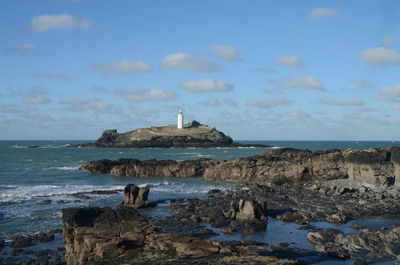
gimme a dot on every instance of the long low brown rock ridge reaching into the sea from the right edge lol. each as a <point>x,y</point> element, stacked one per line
<point>372,167</point>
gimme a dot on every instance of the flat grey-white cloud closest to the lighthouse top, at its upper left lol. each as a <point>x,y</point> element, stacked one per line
<point>145,94</point>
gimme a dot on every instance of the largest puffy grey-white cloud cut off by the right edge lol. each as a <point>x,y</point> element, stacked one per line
<point>381,57</point>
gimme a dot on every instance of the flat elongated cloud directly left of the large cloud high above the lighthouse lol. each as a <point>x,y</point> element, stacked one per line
<point>123,67</point>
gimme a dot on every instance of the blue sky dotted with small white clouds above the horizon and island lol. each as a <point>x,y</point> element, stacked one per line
<point>256,70</point>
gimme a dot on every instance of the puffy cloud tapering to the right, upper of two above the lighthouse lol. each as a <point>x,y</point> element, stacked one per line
<point>185,61</point>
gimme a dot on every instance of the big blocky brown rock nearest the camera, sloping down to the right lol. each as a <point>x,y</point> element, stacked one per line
<point>104,236</point>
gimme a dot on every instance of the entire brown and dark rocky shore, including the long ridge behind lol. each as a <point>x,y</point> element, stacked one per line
<point>288,185</point>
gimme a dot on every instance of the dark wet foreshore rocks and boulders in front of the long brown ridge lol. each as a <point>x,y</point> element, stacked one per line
<point>95,235</point>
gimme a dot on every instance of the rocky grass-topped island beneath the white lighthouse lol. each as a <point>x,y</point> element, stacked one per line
<point>193,135</point>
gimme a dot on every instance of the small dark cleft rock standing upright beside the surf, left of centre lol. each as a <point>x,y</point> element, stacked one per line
<point>136,197</point>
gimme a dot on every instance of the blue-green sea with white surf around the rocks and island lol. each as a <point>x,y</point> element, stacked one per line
<point>40,178</point>
